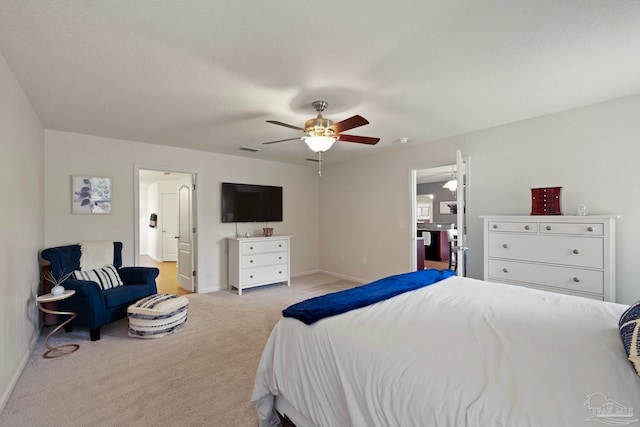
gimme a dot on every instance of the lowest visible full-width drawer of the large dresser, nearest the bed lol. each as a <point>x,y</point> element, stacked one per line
<point>568,278</point>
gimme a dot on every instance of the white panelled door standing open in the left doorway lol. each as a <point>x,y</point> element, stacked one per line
<point>186,233</point>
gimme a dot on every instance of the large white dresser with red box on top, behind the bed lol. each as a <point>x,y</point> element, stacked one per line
<point>567,254</point>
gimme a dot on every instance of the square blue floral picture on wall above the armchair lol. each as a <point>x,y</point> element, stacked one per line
<point>90,195</point>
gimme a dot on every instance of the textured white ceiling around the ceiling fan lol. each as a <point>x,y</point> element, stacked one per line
<point>207,74</point>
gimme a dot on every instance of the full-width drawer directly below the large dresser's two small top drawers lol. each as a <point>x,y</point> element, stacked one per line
<point>564,250</point>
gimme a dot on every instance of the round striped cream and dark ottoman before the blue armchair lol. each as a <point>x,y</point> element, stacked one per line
<point>157,315</point>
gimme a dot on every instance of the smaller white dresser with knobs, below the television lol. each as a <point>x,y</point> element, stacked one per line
<point>257,261</point>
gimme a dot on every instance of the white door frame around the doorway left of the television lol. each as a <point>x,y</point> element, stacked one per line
<point>136,209</point>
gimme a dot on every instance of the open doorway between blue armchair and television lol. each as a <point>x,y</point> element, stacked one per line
<point>165,235</point>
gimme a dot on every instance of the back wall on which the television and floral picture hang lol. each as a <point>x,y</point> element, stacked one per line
<point>70,154</point>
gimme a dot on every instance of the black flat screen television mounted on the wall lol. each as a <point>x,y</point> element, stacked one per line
<point>251,203</point>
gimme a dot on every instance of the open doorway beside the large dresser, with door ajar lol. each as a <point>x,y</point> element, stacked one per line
<point>438,214</point>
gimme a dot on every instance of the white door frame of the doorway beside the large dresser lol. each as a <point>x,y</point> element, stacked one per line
<point>413,199</point>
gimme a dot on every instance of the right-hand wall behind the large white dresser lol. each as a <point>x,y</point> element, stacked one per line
<point>591,152</point>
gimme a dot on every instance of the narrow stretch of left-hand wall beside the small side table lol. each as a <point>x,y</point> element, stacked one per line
<point>22,219</point>
